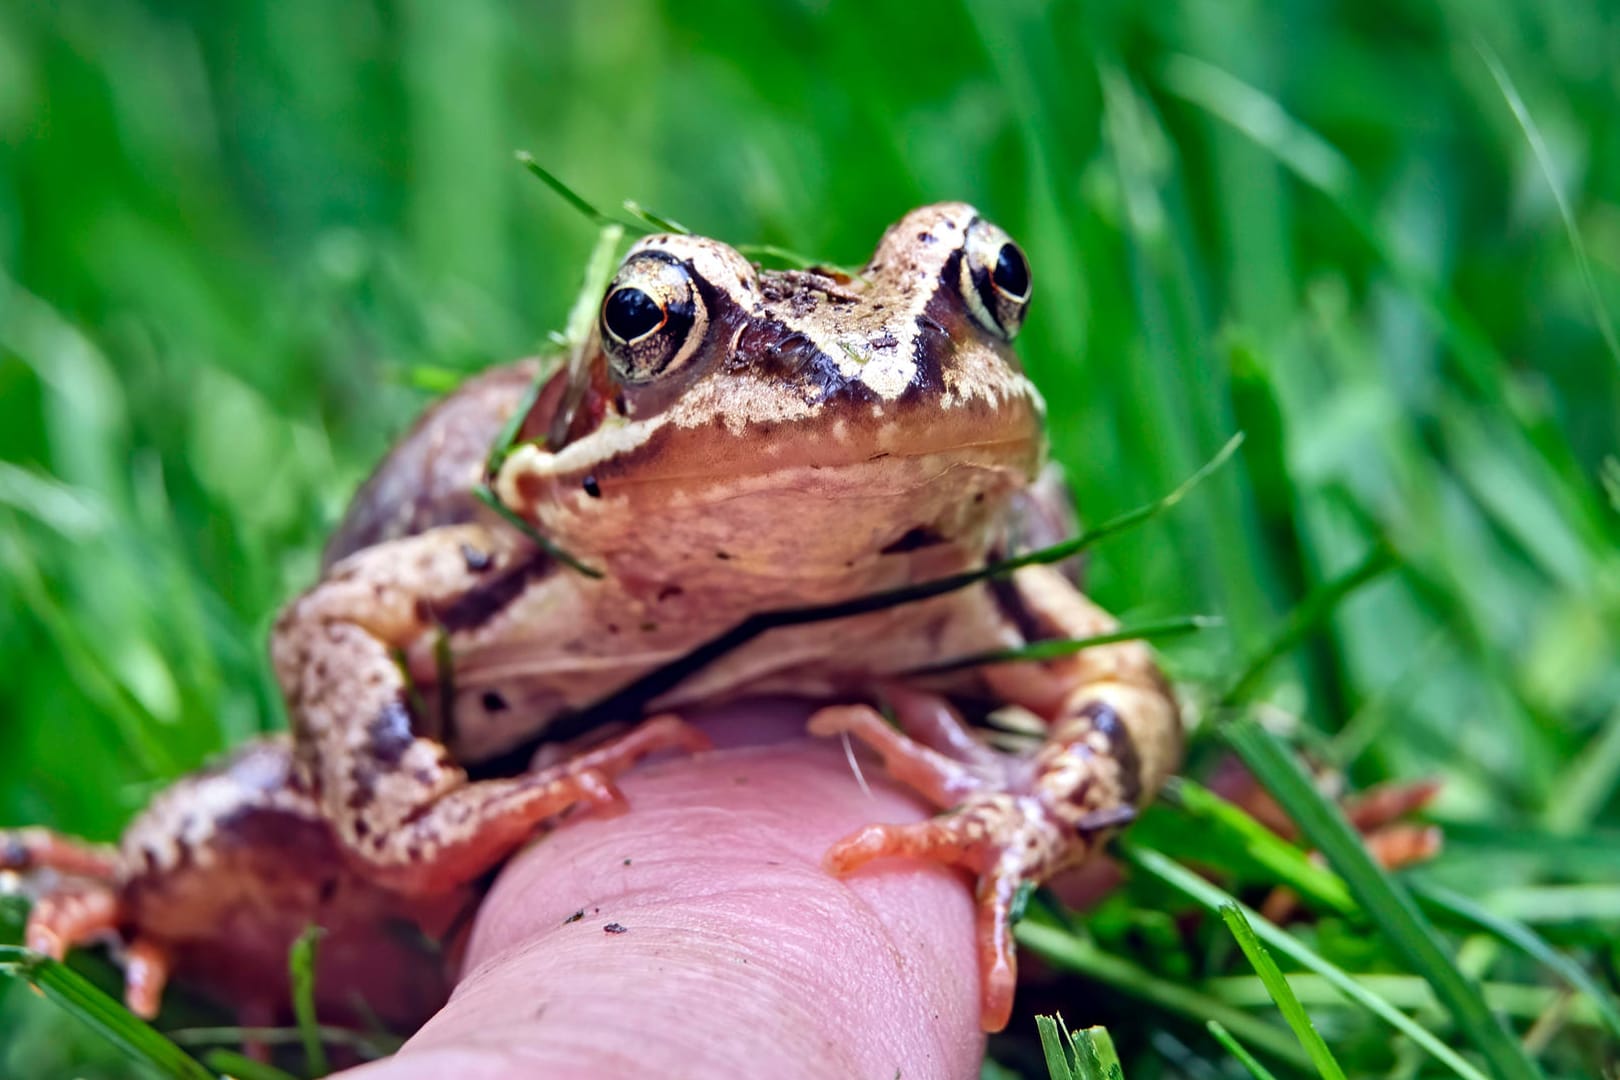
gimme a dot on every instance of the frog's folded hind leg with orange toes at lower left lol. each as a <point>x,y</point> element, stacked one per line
<point>216,880</point>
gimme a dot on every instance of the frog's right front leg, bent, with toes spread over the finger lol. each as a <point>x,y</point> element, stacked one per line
<point>1114,736</point>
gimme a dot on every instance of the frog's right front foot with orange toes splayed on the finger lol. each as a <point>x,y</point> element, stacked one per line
<point>1017,820</point>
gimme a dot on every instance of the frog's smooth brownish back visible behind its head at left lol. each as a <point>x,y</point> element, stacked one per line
<point>430,477</point>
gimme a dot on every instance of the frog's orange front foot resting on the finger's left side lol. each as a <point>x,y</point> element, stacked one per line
<point>435,846</point>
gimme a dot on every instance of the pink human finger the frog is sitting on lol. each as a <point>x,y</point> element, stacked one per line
<point>738,955</point>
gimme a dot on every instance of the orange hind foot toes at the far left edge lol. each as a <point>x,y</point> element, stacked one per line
<point>77,901</point>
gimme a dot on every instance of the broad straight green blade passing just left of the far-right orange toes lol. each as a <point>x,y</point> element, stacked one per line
<point>1386,904</point>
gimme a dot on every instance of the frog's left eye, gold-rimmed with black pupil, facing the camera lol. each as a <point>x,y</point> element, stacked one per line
<point>652,318</point>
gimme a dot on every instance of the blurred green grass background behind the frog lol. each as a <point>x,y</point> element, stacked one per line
<point>242,244</point>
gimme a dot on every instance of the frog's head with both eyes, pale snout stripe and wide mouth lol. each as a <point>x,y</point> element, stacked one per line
<point>799,415</point>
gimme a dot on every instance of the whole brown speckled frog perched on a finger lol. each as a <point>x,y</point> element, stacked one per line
<point>730,443</point>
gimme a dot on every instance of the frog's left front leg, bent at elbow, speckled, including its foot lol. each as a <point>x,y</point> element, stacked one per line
<point>396,799</point>
